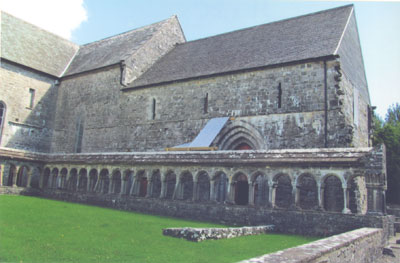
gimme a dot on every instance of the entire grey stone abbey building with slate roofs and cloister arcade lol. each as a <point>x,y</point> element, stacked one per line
<point>266,124</point>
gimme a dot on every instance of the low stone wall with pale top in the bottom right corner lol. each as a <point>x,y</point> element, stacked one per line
<point>361,245</point>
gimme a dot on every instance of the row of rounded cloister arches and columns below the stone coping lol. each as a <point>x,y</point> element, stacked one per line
<point>305,190</point>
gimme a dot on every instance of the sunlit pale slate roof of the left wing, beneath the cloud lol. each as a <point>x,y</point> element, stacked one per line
<point>19,44</point>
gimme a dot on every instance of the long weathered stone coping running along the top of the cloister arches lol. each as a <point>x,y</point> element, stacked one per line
<point>265,157</point>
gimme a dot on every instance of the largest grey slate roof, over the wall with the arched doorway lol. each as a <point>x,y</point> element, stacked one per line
<point>304,37</point>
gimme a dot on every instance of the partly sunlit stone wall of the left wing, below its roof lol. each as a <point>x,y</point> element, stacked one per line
<point>26,126</point>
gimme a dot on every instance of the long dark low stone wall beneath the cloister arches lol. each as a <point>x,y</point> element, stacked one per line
<point>309,223</point>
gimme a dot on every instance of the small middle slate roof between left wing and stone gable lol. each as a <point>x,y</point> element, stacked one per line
<point>111,50</point>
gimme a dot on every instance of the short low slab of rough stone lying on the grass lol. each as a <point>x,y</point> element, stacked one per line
<point>200,234</point>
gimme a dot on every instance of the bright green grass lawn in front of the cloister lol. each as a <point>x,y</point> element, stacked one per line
<point>40,230</point>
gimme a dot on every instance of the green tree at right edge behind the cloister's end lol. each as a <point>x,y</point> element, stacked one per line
<point>388,132</point>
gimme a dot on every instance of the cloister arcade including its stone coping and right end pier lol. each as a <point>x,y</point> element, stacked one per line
<point>292,180</point>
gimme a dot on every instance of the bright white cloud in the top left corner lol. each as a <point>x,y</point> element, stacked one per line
<point>60,17</point>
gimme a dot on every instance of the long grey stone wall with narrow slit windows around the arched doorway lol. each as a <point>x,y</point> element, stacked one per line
<point>284,106</point>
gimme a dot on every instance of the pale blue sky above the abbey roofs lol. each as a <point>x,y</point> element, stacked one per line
<point>378,24</point>
